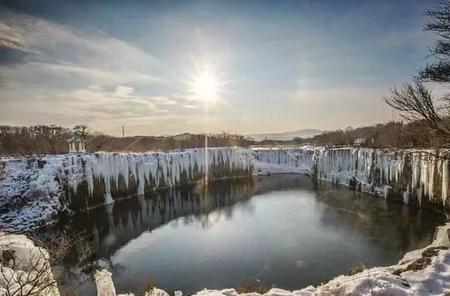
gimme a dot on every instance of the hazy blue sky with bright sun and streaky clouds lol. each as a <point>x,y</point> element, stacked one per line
<point>168,67</point>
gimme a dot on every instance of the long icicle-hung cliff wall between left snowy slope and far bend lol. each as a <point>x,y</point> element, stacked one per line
<point>108,176</point>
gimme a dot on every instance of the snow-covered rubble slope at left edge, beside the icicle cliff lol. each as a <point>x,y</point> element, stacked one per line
<point>30,193</point>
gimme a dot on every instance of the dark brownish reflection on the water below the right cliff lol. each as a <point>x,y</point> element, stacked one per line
<point>383,223</point>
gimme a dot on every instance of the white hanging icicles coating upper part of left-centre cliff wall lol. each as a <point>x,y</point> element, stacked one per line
<point>156,169</point>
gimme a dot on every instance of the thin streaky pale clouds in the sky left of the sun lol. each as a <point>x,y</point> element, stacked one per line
<point>72,75</point>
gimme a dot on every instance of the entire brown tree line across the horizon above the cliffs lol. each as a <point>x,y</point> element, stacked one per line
<point>43,139</point>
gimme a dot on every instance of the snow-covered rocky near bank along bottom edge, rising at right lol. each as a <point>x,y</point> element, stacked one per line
<point>420,272</point>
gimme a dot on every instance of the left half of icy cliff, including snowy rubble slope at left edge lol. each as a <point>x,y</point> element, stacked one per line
<point>35,190</point>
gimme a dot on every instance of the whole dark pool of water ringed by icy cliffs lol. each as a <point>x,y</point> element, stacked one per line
<point>282,230</point>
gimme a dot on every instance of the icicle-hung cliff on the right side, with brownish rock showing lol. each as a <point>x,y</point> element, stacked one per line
<point>415,176</point>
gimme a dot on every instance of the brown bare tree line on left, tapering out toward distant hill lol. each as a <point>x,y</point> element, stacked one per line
<point>52,139</point>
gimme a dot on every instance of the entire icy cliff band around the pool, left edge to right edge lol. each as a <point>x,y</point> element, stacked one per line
<point>33,191</point>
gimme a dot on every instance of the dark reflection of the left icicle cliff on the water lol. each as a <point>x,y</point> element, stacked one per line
<point>116,224</point>
